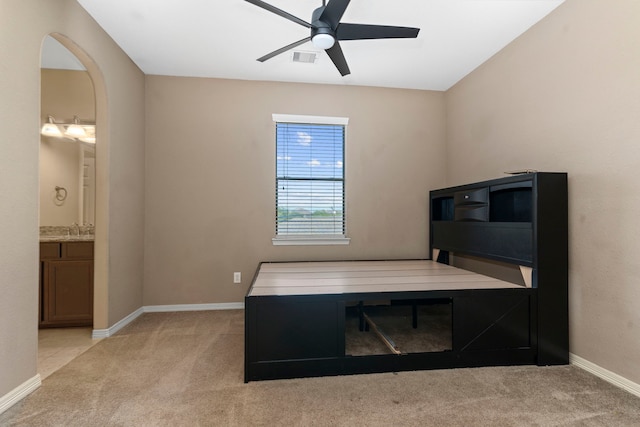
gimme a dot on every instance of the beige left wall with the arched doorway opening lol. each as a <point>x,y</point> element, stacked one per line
<point>120,110</point>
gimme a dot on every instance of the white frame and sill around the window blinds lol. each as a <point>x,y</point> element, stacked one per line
<point>313,239</point>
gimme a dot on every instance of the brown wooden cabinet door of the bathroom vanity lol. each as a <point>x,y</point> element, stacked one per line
<point>70,293</point>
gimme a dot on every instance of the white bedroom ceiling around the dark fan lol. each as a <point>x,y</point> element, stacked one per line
<point>223,38</point>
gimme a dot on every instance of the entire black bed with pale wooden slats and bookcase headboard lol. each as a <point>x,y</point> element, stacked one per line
<point>300,316</point>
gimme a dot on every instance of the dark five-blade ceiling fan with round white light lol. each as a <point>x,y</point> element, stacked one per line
<point>327,31</point>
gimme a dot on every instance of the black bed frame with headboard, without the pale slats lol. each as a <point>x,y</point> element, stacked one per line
<point>520,220</point>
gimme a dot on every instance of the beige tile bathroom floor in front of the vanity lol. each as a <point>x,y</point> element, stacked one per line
<point>58,346</point>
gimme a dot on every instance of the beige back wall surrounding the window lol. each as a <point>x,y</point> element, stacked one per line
<point>210,200</point>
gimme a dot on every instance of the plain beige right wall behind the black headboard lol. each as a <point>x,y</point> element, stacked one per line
<point>565,96</point>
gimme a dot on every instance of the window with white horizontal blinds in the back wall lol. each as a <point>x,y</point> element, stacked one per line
<point>310,202</point>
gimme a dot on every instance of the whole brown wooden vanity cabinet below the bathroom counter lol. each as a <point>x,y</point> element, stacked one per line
<point>66,284</point>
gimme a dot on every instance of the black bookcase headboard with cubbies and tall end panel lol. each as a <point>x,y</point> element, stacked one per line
<point>521,220</point>
